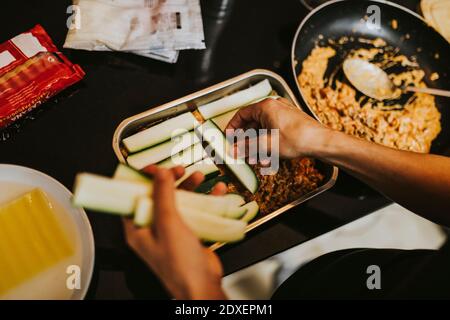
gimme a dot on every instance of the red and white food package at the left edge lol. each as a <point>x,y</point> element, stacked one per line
<point>31,71</point>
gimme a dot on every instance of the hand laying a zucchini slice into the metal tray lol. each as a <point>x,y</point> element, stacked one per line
<point>299,134</point>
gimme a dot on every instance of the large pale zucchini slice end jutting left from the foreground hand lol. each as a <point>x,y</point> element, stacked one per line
<point>108,195</point>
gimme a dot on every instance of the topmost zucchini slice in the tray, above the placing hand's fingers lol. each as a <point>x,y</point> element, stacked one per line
<point>235,100</point>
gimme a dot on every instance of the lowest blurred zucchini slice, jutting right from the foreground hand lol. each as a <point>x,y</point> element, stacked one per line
<point>213,228</point>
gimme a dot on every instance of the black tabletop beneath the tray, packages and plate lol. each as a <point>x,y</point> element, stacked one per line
<point>73,132</point>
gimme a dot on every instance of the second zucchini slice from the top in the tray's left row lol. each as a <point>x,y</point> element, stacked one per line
<point>162,151</point>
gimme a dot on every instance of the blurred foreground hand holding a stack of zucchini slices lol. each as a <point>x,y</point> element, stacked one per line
<point>186,268</point>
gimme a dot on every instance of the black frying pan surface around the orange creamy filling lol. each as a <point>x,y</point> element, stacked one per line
<point>413,37</point>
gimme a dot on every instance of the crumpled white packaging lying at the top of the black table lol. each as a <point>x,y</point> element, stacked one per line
<point>153,28</point>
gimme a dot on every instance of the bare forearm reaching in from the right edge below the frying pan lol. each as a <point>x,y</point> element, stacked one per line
<point>419,182</point>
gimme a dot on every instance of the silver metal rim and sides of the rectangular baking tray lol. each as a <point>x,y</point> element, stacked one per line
<point>188,103</point>
